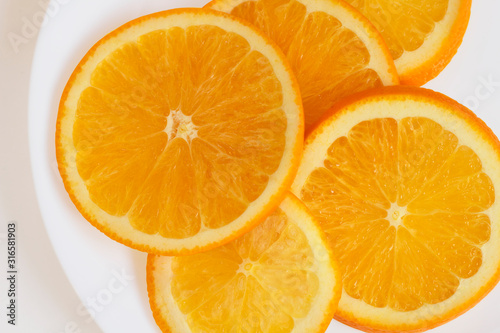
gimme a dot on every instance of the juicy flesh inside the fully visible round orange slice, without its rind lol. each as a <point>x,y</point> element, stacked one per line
<point>188,132</point>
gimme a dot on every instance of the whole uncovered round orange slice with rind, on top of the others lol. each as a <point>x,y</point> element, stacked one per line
<point>179,131</point>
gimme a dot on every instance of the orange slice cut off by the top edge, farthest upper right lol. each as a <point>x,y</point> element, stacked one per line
<point>423,35</point>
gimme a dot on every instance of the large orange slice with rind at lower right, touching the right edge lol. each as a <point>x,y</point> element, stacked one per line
<point>405,183</point>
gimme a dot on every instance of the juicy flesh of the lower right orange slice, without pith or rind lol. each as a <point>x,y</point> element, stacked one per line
<point>438,192</point>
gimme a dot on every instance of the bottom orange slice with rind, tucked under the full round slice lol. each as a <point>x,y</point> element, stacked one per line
<point>279,277</point>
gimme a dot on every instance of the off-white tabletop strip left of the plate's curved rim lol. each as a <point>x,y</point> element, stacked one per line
<point>47,302</point>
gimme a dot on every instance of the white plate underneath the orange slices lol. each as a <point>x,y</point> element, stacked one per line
<point>92,261</point>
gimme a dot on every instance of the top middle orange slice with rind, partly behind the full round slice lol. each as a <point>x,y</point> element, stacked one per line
<point>332,50</point>
